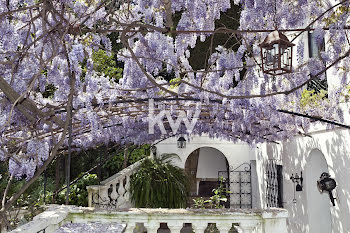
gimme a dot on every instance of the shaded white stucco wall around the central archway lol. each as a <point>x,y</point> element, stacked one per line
<point>209,162</point>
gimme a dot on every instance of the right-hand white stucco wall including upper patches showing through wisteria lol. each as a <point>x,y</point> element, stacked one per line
<point>295,153</point>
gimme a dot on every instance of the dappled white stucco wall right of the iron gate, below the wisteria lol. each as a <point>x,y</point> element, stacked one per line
<point>294,154</point>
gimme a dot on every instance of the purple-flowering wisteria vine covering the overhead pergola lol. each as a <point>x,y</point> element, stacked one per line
<point>52,43</point>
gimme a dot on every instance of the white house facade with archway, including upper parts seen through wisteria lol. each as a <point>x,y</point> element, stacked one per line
<point>272,165</point>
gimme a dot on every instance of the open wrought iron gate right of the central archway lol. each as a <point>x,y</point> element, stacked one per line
<point>239,183</point>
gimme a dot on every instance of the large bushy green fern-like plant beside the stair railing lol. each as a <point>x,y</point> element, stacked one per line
<point>158,183</point>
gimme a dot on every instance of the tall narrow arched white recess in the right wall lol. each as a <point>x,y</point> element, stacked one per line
<point>318,204</point>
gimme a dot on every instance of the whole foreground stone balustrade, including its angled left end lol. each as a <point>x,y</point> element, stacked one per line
<point>245,221</point>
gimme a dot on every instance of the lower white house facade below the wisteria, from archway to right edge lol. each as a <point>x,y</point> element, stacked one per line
<point>308,156</point>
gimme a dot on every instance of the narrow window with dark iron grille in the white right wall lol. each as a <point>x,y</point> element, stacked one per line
<point>274,184</point>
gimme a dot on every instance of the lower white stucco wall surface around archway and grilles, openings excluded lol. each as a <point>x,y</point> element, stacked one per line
<point>294,154</point>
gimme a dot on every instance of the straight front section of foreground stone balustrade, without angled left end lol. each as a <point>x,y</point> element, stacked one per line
<point>245,220</point>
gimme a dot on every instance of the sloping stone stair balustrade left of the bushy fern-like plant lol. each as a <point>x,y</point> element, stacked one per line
<point>114,191</point>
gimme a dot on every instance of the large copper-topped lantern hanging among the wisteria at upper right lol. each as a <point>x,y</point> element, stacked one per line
<point>276,54</point>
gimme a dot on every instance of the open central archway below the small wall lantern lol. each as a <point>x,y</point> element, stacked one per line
<point>202,166</point>
